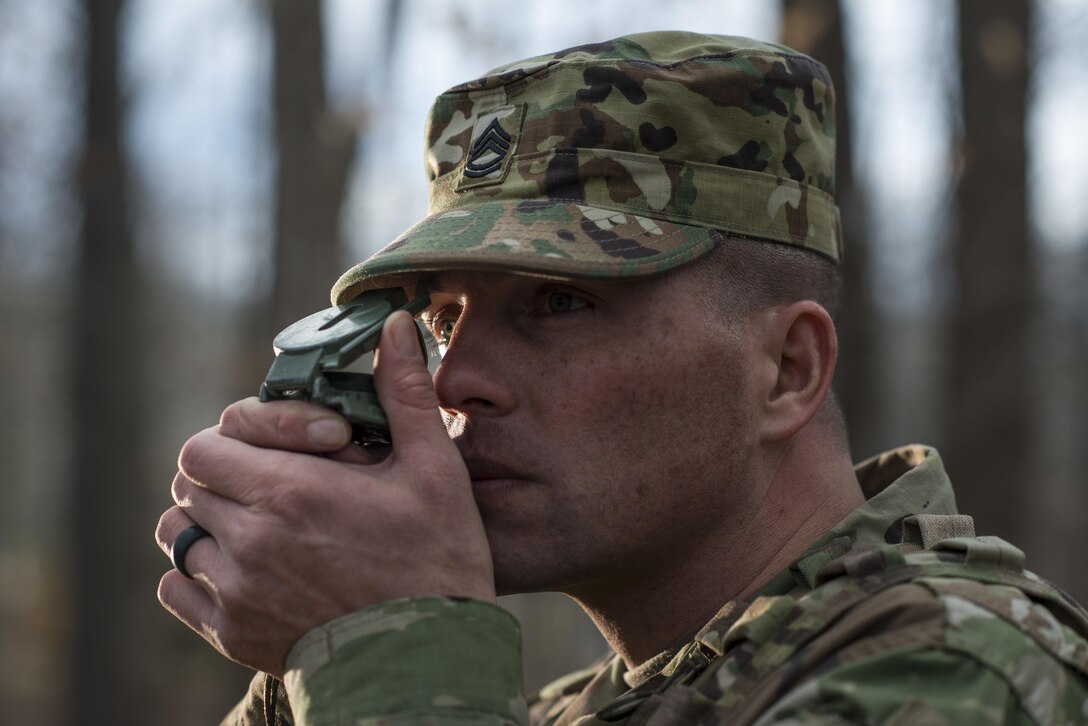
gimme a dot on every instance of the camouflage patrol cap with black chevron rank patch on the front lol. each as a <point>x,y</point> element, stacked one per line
<point>622,159</point>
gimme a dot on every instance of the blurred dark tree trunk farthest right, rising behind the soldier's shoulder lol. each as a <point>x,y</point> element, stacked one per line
<point>991,452</point>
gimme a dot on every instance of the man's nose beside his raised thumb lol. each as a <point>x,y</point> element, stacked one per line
<point>476,377</point>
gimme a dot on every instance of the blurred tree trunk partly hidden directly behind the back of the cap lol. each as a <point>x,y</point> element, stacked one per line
<point>815,28</point>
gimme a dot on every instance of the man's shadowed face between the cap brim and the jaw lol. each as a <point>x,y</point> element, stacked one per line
<point>605,425</point>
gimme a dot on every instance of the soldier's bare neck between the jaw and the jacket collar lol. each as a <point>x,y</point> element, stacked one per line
<point>647,612</point>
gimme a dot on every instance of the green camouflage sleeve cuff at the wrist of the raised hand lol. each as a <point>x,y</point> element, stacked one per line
<point>434,660</point>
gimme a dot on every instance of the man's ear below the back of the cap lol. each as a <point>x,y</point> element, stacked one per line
<point>800,347</point>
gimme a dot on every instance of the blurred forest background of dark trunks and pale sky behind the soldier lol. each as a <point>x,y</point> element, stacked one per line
<point>180,180</point>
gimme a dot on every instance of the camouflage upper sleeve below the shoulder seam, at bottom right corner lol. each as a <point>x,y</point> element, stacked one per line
<point>942,650</point>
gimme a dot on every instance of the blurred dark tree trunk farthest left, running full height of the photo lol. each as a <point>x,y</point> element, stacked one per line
<point>110,537</point>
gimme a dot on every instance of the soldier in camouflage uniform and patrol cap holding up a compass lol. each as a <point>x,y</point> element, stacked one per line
<point>632,260</point>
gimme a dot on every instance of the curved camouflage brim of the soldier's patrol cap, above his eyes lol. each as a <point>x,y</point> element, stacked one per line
<point>546,239</point>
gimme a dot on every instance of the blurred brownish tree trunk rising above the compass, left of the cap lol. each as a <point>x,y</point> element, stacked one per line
<point>316,152</point>
